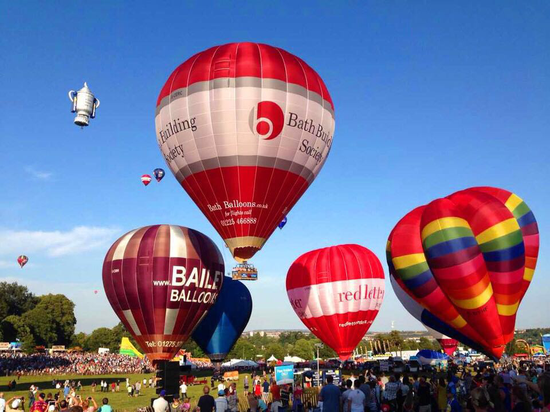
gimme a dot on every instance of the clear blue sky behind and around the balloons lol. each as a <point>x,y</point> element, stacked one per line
<point>430,98</point>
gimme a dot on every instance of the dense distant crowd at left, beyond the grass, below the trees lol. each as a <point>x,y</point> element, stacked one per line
<point>70,363</point>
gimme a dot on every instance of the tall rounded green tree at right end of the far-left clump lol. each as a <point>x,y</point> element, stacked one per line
<point>52,321</point>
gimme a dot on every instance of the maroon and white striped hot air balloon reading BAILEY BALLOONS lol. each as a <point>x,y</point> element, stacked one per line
<point>161,280</point>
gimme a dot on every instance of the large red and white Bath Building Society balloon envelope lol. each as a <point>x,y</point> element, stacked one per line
<point>245,128</point>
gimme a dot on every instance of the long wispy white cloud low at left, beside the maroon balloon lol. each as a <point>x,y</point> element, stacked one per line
<point>55,243</point>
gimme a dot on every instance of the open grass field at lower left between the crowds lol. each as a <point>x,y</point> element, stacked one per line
<point>120,401</point>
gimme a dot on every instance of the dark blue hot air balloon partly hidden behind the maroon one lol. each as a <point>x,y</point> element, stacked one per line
<point>225,321</point>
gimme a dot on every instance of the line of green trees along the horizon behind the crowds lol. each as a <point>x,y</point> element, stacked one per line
<point>50,320</point>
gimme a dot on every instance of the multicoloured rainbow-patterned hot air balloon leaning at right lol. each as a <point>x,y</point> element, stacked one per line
<point>469,258</point>
